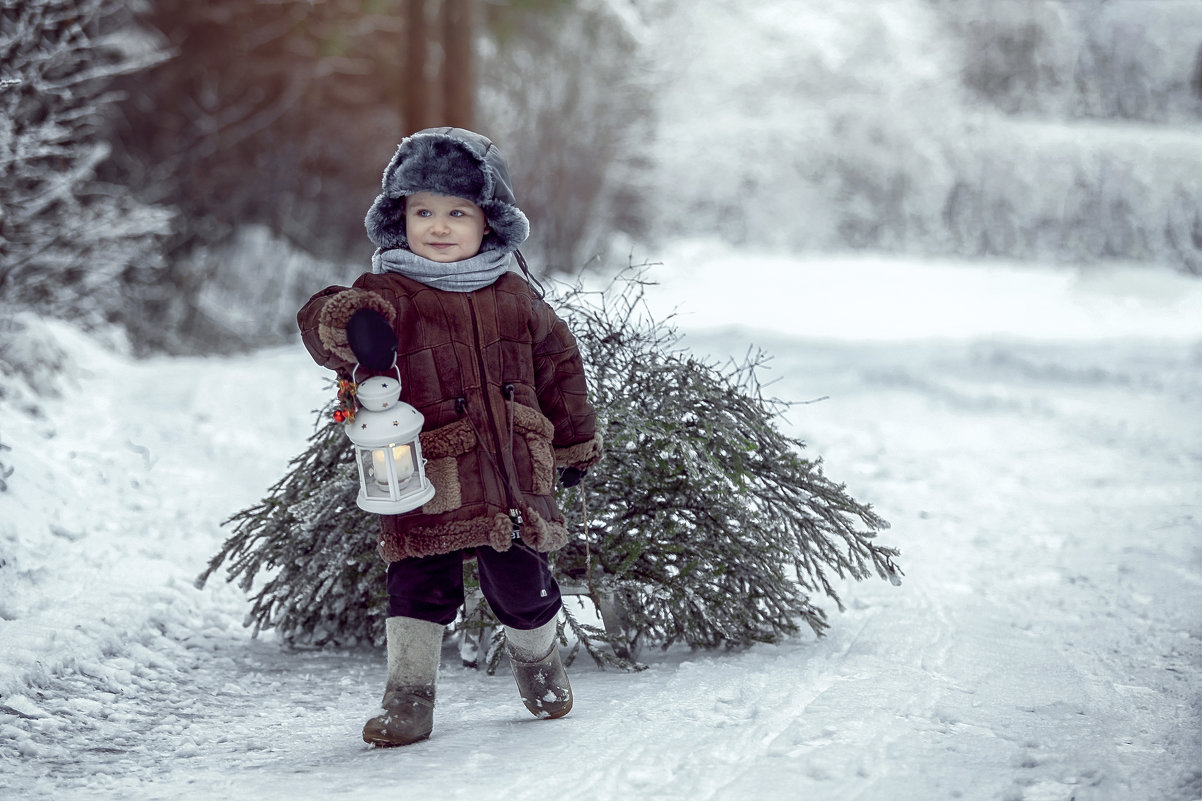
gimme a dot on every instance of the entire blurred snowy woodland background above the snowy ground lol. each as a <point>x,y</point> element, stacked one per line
<point>191,171</point>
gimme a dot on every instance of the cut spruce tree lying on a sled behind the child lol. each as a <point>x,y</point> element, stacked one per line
<point>704,524</point>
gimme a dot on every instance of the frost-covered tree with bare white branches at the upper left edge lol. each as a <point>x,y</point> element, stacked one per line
<point>72,246</point>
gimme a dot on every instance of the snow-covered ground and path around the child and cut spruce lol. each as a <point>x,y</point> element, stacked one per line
<point>1034,436</point>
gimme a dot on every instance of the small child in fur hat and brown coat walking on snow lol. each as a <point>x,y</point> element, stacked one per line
<point>499,379</point>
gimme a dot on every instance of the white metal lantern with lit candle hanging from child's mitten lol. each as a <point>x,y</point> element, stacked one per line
<point>388,449</point>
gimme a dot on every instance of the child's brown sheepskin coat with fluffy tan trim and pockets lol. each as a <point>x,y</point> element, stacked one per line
<point>498,377</point>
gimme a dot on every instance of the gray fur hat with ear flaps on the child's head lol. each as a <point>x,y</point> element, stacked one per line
<point>449,162</point>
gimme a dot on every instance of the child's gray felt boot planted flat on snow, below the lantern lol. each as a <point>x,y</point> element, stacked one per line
<point>414,649</point>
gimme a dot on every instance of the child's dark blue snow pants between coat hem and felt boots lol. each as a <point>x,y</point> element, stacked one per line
<point>517,585</point>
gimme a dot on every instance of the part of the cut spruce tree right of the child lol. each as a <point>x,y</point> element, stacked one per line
<point>705,524</point>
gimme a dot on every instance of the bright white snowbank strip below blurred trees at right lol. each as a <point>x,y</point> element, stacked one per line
<point>873,298</point>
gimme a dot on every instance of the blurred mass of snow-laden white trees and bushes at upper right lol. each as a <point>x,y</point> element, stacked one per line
<point>1039,130</point>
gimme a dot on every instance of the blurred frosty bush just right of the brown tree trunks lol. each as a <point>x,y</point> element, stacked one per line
<point>569,92</point>
